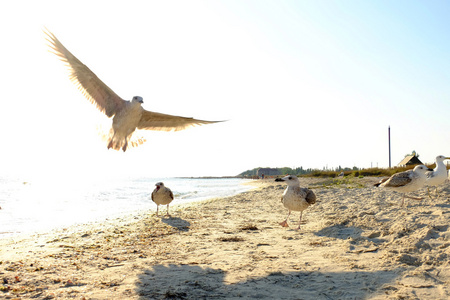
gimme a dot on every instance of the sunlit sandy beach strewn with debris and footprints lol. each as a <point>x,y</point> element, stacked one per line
<point>356,243</point>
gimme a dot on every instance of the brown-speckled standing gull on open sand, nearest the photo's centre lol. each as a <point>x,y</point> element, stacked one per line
<point>295,198</point>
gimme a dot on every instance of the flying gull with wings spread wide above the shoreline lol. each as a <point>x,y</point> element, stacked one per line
<point>127,115</point>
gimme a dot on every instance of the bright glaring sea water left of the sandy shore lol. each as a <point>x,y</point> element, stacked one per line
<point>40,205</point>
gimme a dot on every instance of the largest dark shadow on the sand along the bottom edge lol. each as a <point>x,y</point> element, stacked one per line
<point>194,282</point>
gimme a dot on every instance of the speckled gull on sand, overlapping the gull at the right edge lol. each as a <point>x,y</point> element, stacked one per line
<point>407,181</point>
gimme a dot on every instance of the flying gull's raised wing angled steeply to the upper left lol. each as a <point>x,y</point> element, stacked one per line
<point>87,82</point>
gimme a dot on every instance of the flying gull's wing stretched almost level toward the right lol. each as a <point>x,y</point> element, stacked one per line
<point>162,122</point>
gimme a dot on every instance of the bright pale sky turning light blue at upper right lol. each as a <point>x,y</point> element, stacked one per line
<point>301,83</point>
